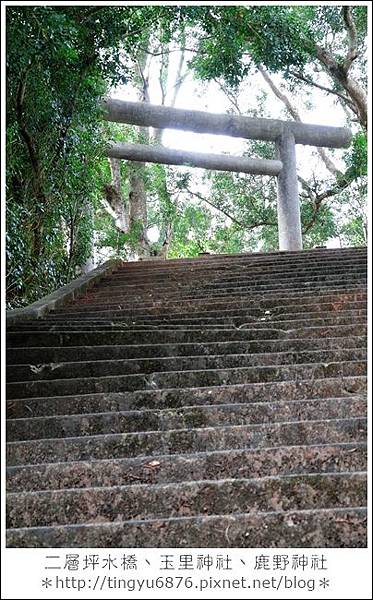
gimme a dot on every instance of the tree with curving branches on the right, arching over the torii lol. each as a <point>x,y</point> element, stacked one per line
<point>320,48</point>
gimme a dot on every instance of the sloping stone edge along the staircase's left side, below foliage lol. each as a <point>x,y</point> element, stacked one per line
<point>63,294</point>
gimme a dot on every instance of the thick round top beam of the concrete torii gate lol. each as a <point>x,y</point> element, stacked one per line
<point>163,117</point>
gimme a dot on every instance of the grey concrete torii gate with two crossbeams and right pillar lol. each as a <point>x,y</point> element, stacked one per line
<point>285,134</point>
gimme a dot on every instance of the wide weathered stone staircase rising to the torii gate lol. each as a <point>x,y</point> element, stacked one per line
<point>209,402</point>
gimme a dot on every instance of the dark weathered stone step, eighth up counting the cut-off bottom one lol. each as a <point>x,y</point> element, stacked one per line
<point>98,368</point>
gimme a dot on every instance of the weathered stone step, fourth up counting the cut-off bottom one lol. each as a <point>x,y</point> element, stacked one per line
<point>185,441</point>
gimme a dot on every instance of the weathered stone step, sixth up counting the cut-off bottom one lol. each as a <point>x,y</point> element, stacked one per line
<point>174,398</point>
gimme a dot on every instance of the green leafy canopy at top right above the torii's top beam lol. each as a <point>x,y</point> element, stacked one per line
<point>236,38</point>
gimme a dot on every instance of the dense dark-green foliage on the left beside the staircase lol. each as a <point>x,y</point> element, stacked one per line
<point>60,60</point>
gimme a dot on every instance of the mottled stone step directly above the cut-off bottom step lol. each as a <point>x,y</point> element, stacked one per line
<point>286,493</point>
